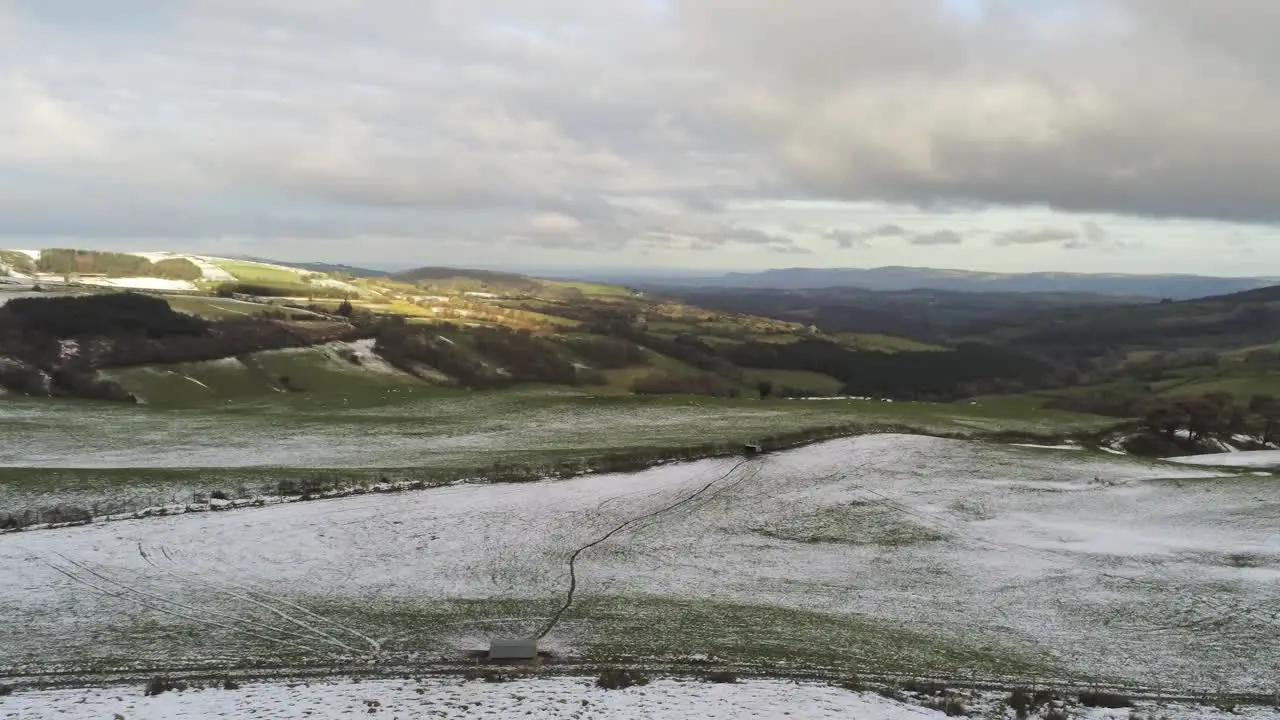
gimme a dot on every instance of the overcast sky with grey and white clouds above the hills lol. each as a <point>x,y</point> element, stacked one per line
<point>1008,135</point>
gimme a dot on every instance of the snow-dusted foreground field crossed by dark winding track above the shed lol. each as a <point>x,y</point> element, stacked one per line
<point>880,555</point>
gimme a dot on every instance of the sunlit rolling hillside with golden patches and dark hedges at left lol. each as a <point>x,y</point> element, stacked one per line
<point>437,326</point>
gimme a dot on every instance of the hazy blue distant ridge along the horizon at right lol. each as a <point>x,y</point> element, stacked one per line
<point>898,279</point>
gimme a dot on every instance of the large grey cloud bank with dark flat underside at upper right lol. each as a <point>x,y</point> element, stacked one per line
<point>897,102</point>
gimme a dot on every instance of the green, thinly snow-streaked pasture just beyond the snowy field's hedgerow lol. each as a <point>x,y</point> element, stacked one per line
<point>359,426</point>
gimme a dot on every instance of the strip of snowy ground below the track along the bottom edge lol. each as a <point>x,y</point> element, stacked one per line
<point>546,699</point>
